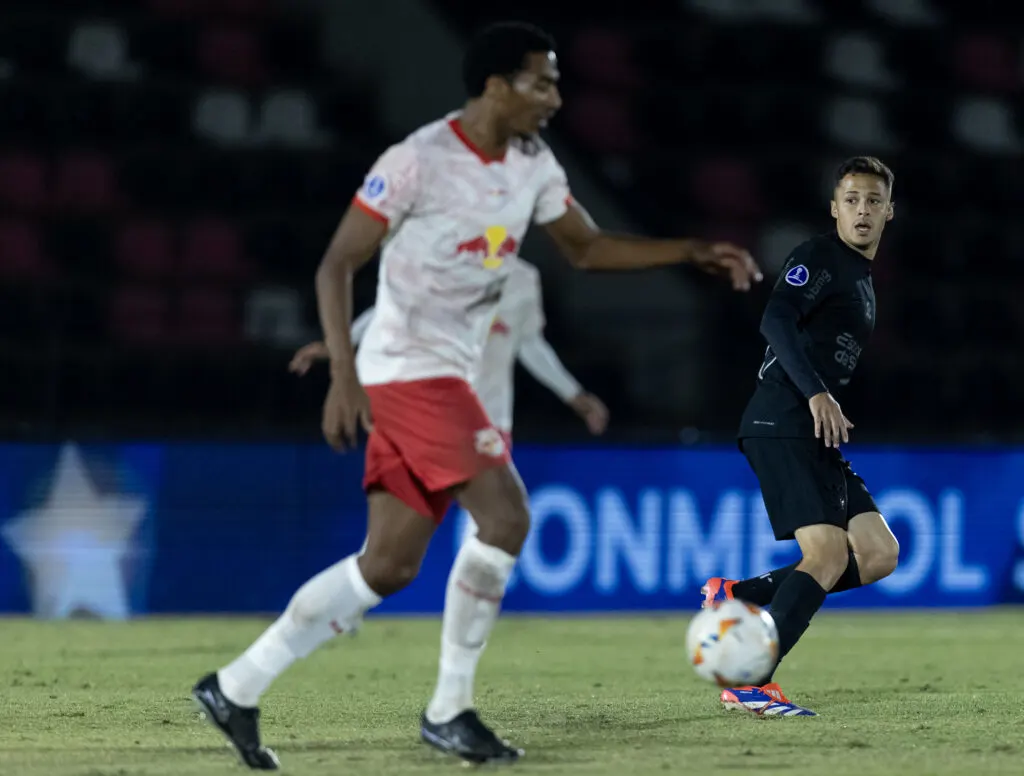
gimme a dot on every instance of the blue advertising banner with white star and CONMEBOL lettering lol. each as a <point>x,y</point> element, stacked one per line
<point>116,531</point>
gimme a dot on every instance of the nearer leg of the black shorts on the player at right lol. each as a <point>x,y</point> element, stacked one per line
<point>802,484</point>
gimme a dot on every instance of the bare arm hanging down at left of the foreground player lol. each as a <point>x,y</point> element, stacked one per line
<point>355,242</point>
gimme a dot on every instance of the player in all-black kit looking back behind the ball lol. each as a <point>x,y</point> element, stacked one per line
<point>818,323</point>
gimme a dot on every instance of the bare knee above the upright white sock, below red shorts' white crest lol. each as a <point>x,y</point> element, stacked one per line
<point>497,500</point>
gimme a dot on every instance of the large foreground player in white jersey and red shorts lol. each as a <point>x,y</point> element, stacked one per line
<point>448,205</point>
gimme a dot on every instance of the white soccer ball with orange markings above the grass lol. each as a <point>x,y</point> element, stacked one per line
<point>733,643</point>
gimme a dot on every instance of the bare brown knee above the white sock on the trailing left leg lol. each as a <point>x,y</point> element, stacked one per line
<point>398,538</point>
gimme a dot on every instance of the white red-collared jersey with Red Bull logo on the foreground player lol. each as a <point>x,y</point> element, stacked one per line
<point>454,218</point>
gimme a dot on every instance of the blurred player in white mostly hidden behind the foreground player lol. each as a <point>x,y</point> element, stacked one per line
<point>518,333</point>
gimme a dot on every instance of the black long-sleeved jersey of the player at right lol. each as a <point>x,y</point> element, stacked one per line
<point>818,323</point>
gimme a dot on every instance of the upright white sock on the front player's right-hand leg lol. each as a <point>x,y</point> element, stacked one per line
<point>473,601</point>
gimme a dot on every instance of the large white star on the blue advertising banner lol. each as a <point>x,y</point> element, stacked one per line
<point>75,542</point>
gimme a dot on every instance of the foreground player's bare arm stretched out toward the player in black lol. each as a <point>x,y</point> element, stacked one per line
<point>587,247</point>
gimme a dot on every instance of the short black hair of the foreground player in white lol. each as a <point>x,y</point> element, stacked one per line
<point>501,50</point>
